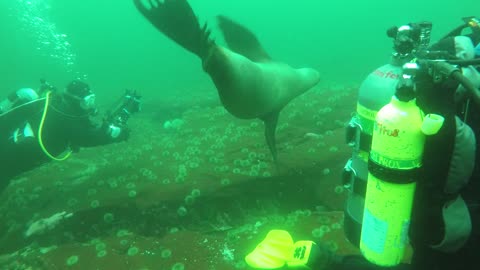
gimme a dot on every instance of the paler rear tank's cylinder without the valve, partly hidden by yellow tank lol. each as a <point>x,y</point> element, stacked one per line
<point>374,93</point>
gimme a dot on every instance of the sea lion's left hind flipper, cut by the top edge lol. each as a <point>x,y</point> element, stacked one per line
<point>176,19</point>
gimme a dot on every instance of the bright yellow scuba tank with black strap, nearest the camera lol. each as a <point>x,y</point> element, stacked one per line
<point>395,158</point>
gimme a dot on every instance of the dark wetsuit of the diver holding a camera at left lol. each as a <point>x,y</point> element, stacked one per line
<point>63,128</point>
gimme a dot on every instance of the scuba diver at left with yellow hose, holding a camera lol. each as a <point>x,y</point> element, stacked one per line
<point>50,125</point>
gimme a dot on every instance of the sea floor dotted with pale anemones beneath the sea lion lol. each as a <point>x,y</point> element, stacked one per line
<point>198,192</point>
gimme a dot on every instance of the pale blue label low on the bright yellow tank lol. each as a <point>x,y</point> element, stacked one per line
<point>374,232</point>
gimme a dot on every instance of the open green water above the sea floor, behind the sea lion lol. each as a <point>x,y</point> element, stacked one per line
<point>114,47</point>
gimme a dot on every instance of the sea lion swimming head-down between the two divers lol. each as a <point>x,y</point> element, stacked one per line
<point>250,84</point>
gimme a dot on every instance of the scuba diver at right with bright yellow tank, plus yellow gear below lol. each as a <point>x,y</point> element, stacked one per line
<point>441,216</point>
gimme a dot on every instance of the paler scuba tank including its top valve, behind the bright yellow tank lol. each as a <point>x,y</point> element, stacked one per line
<point>375,92</point>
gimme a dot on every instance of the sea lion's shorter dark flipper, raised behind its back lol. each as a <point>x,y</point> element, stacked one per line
<point>241,40</point>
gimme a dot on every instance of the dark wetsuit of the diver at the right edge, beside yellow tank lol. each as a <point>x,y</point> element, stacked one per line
<point>427,227</point>
